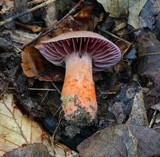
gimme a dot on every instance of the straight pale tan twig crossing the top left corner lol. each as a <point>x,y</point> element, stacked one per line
<point>26,12</point>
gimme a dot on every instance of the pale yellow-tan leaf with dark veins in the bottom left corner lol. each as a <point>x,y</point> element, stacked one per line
<point>17,130</point>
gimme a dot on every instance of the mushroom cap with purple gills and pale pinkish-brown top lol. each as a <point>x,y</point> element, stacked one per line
<point>102,51</point>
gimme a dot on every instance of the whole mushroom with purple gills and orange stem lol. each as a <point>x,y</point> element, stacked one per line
<point>79,52</point>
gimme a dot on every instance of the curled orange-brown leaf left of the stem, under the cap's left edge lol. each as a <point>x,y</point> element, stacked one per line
<point>34,65</point>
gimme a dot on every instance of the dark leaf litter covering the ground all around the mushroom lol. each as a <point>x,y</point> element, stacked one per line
<point>127,122</point>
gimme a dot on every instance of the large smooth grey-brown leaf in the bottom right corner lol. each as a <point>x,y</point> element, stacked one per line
<point>122,140</point>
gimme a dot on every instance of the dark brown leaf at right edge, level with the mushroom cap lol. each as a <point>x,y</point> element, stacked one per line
<point>149,56</point>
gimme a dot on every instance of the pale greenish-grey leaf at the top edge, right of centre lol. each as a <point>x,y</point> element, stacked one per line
<point>117,8</point>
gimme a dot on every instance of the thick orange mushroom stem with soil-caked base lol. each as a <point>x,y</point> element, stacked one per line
<point>78,93</point>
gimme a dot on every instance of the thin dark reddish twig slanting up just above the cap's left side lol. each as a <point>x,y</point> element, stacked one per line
<point>43,33</point>
